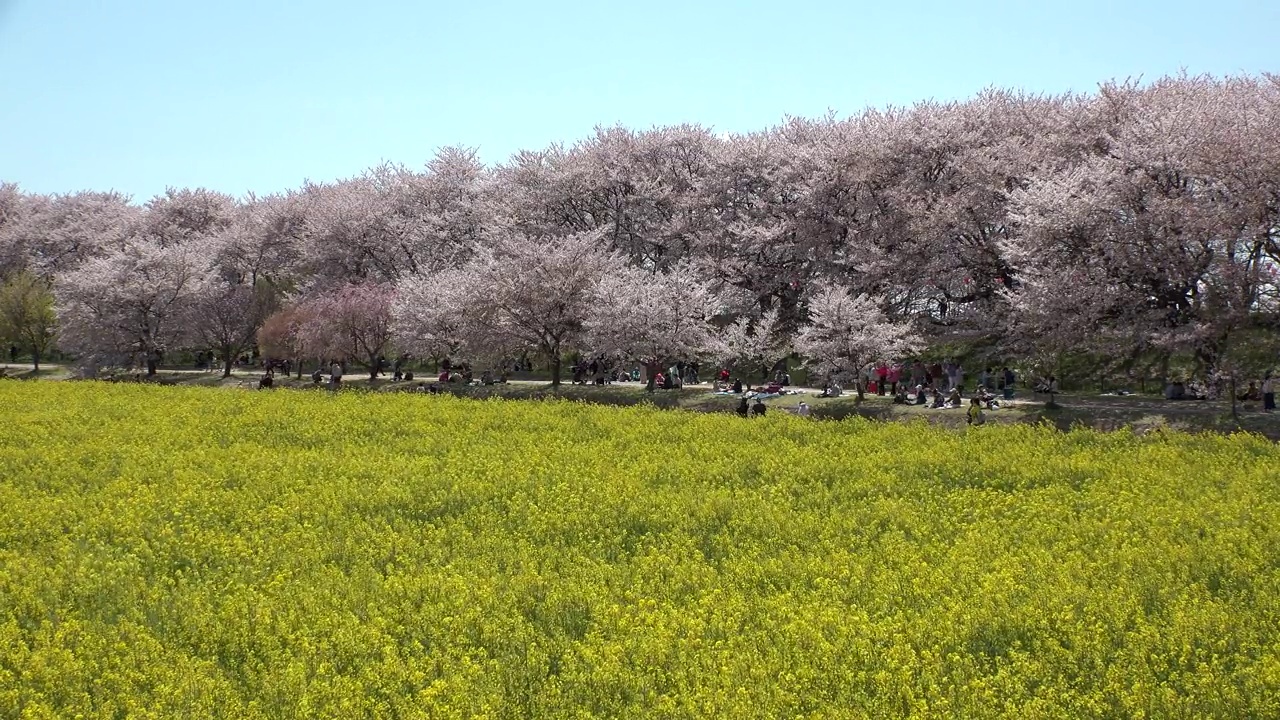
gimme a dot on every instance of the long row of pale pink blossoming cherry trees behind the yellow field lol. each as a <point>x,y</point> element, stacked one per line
<point>1137,224</point>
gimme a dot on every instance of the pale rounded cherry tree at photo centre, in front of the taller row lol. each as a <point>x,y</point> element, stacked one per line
<point>655,317</point>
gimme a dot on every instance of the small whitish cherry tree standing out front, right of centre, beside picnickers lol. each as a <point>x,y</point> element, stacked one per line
<point>848,332</point>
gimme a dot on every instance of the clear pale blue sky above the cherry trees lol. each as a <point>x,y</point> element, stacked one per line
<point>240,95</point>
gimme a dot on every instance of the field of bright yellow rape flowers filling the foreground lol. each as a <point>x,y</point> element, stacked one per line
<point>214,554</point>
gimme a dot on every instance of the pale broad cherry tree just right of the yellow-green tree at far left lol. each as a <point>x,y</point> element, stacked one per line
<point>127,304</point>
